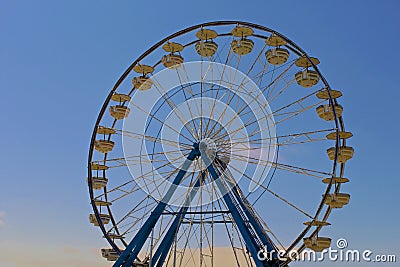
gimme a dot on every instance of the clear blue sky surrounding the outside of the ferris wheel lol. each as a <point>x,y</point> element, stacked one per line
<point>59,59</point>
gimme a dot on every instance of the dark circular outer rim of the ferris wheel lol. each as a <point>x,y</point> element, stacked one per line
<point>337,169</point>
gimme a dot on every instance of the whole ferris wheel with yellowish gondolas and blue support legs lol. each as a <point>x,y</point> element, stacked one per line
<point>221,145</point>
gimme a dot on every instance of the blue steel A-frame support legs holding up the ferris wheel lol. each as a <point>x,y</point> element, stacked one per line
<point>242,212</point>
